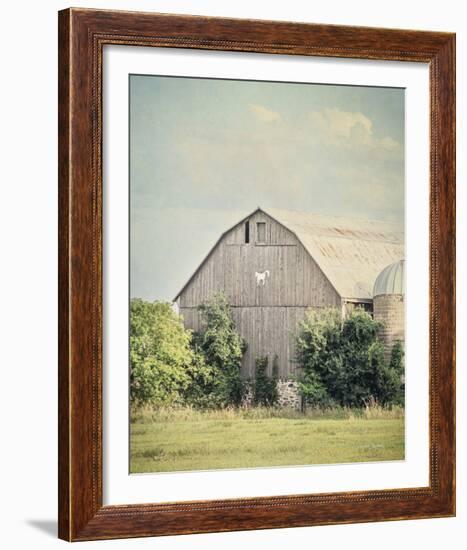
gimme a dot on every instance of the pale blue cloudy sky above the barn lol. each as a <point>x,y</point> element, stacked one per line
<point>204,153</point>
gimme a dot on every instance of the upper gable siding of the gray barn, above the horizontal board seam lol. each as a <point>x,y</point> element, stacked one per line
<point>295,279</point>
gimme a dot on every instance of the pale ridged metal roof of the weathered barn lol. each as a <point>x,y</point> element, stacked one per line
<point>350,252</point>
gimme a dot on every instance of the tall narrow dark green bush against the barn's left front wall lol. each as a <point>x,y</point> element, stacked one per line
<point>223,349</point>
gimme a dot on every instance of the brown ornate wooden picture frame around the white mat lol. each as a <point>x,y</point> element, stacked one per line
<point>82,35</point>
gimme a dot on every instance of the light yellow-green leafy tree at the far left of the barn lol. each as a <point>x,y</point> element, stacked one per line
<point>164,367</point>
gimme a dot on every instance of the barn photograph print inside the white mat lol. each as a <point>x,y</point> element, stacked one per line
<point>267,282</point>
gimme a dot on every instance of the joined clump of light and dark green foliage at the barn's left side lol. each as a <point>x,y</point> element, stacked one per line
<point>171,366</point>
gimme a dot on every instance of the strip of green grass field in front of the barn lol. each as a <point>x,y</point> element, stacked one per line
<point>178,440</point>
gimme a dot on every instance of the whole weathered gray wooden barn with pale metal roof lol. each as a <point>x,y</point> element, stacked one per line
<point>275,264</point>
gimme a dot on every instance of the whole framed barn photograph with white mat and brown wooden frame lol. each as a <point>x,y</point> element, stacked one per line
<point>256,274</point>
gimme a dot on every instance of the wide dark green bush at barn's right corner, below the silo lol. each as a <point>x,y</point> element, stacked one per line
<point>343,361</point>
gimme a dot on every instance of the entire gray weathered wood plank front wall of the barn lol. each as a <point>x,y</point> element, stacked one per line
<point>266,316</point>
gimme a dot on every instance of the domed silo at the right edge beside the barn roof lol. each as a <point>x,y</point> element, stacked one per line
<point>388,304</point>
